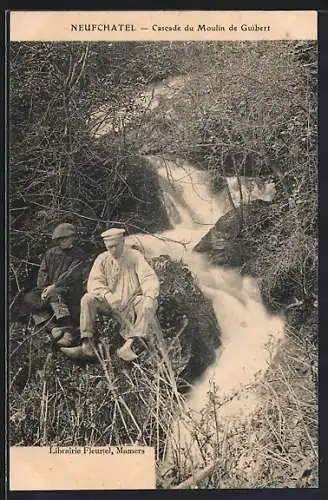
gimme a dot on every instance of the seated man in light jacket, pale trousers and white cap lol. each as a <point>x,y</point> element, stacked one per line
<point>122,284</point>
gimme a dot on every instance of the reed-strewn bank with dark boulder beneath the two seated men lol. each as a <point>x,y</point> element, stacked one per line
<point>70,394</point>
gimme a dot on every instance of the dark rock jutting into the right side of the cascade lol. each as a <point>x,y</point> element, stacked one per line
<point>231,242</point>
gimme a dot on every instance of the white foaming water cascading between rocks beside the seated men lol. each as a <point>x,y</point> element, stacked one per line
<point>249,335</point>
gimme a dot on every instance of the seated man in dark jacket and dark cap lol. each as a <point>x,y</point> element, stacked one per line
<point>55,302</point>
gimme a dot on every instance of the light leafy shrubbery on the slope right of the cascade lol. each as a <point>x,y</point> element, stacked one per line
<point>250,109</point>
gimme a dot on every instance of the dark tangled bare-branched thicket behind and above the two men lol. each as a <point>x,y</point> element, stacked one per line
<point>58,171</point>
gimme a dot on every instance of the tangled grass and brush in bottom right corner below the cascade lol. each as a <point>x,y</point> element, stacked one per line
<point>274,446</point>
